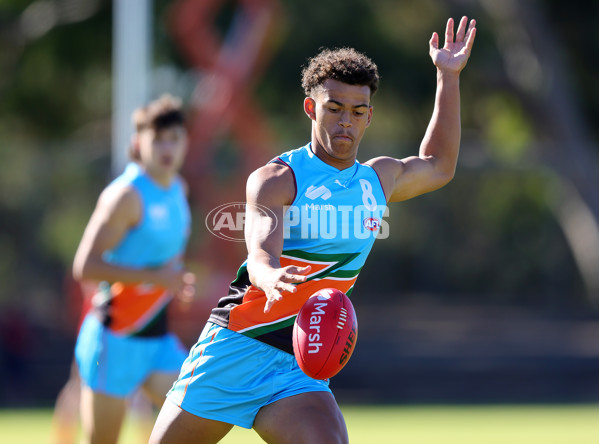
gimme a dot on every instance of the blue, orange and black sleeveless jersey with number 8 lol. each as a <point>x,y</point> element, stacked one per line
<point>332,224</point>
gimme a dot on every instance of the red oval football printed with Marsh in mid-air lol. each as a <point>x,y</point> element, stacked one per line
<point>325,333</point>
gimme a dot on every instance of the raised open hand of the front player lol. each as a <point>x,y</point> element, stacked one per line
<point>453,56</point>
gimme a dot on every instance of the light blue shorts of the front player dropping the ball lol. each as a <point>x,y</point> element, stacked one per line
<point>228,377</point>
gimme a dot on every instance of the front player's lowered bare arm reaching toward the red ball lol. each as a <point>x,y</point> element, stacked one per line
<point>270,187</point>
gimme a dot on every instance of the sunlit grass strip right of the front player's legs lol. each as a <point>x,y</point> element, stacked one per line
<point>470,425</point>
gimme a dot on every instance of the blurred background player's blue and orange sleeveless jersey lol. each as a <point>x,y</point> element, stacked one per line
<point>160,237</point>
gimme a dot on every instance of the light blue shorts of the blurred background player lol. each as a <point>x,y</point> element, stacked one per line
<point>117,365</point>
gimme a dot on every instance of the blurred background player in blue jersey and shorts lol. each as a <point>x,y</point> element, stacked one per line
<point>132,248</point>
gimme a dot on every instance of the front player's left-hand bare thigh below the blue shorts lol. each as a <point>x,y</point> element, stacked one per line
<point>176,426</point>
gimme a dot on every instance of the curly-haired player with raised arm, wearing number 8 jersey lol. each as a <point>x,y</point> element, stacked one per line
<point>312,216</point>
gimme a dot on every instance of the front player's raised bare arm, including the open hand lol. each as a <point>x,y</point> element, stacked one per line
<point>436,162</point>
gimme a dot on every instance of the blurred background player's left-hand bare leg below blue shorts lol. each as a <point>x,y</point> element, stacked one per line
<point>101,417</point>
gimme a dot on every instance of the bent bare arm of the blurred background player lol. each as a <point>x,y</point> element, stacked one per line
<point>118,210</point>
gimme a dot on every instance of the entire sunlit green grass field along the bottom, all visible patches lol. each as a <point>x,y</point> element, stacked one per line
<point>577,424</point>
